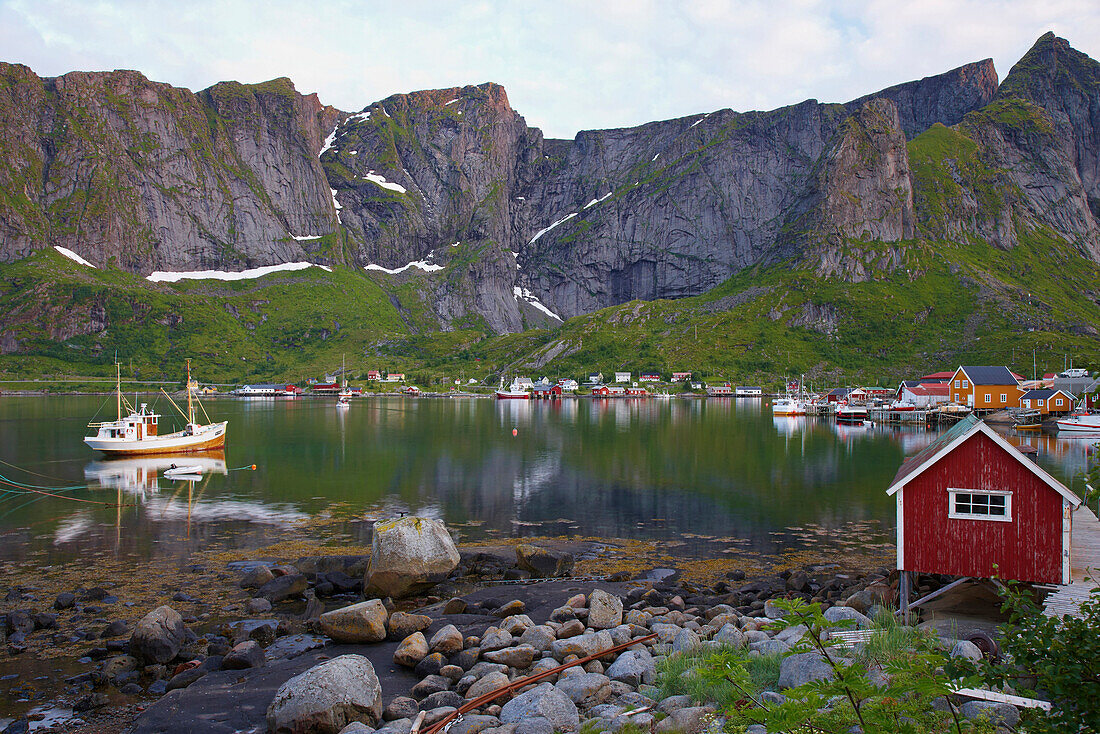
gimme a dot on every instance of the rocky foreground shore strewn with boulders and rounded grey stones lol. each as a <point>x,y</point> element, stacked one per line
<point>371,643</point>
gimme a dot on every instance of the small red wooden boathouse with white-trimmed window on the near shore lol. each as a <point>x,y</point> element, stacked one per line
<point>971,505</point>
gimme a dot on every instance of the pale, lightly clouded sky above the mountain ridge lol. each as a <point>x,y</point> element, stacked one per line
<point>567,65</point>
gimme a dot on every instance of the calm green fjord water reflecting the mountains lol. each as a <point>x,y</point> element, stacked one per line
<point>615,469</point>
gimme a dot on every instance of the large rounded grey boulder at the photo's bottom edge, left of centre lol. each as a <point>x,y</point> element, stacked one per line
<point>327,698</point>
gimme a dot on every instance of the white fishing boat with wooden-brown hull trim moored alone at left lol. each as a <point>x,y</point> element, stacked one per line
<point>138,433</point>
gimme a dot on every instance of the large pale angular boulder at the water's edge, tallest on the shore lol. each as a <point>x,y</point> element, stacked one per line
<point>410,555</point>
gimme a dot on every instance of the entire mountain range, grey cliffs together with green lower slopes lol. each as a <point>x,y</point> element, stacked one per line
<point>953,184</point>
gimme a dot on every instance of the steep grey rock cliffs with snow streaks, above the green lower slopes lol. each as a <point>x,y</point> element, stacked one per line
<point>147,177</point>
